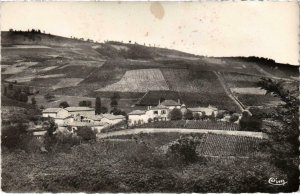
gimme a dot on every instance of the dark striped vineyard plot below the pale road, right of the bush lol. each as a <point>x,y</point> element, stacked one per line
<point>227,145</point>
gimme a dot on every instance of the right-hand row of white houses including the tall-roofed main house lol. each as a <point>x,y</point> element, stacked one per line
<point>162,110</point>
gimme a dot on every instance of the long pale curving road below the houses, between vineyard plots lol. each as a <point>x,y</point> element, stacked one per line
<point>179,130</point>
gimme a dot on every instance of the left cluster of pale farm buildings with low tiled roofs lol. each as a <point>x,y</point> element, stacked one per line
<point>74,117</point>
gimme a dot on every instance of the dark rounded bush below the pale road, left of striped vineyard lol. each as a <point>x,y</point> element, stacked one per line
<point>184,149</point>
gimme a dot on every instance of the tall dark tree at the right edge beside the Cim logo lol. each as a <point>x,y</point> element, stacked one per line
<point>283,131</point>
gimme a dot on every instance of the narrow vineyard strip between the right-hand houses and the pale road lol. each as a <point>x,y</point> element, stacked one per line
<point>191,124</point>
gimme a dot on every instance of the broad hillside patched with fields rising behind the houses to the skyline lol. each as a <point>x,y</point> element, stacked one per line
<point>73,67</point>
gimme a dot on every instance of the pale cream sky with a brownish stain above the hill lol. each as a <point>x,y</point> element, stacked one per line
<point>265,29</point>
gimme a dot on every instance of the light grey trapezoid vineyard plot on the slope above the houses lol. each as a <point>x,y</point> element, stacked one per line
<point>140,80</point>
